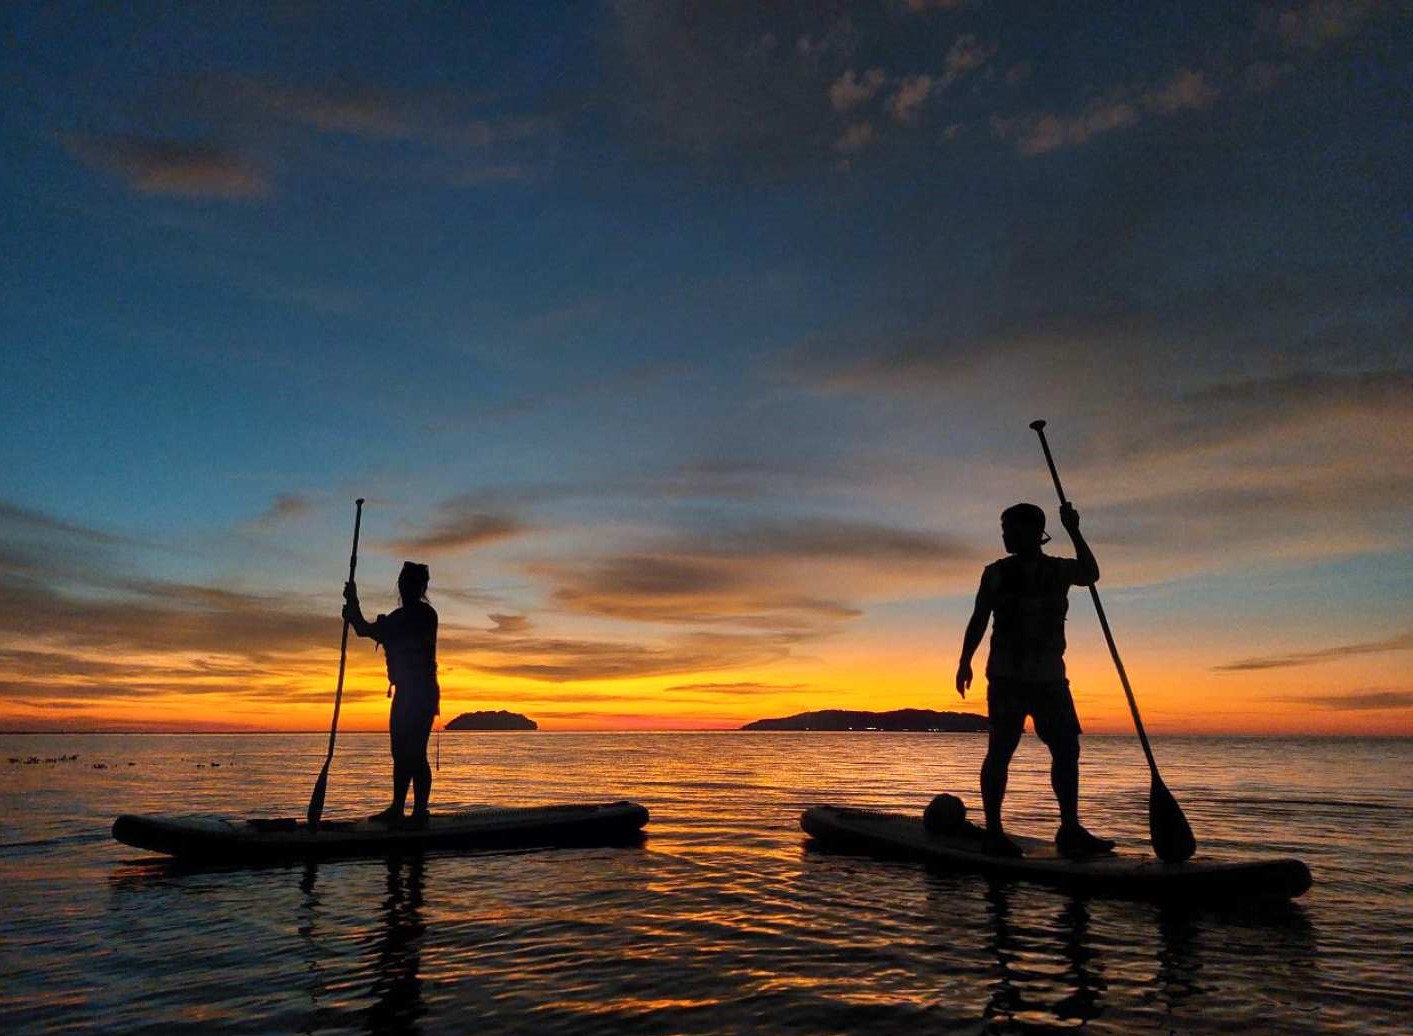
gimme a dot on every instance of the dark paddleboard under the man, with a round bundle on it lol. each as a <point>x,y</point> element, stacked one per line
<point>1118,874</point>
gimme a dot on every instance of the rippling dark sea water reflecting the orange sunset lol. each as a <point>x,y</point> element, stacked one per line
<point>723,922</point>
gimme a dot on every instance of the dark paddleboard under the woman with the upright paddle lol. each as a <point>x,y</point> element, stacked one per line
<point>213,840</point>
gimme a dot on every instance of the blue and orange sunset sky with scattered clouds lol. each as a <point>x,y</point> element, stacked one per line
<point>694,347</point>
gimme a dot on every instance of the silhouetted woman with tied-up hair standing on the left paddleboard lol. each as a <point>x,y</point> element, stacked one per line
<point>409,640</point>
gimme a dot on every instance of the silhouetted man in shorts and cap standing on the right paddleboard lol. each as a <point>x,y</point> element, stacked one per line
<point>1027,593</point>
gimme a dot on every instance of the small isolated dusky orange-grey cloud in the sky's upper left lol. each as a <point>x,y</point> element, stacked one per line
<point>159,166</point>
